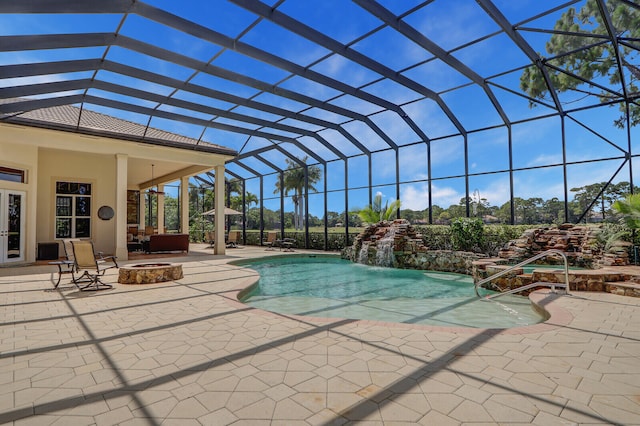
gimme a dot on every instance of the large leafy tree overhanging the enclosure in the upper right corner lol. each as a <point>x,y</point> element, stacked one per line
<point>584,57</point>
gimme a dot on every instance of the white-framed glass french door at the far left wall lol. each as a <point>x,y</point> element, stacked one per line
<point>12,211</point>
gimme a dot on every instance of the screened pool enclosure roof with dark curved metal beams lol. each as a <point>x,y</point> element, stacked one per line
<point>327,80</point>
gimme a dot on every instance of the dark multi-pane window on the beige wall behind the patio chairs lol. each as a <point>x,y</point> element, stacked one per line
<point>73,210</point>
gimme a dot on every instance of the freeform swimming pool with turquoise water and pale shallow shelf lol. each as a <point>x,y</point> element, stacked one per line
<point>327,286</point>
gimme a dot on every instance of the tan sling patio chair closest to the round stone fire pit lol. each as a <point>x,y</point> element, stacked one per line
<point>93,267</point>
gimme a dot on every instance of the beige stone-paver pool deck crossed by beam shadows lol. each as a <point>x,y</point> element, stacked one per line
<point>188,353</point>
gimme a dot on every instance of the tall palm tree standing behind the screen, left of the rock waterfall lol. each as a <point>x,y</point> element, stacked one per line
<point>294,180</point>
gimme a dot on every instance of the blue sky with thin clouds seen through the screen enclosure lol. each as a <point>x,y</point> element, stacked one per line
<point>454,29</point>
